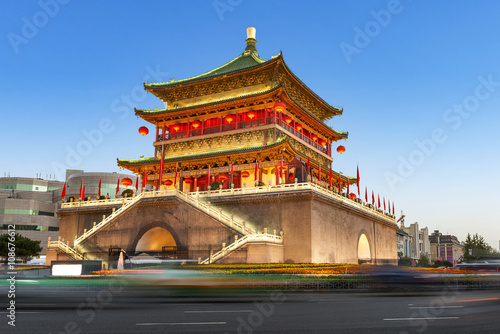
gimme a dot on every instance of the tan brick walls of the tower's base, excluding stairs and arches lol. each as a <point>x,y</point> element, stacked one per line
<point>316,228</point>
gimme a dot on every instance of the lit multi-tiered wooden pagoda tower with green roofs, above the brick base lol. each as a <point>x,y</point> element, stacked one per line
<point>248,120</point>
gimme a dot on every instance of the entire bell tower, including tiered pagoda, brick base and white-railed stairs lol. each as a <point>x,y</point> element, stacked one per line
<point>241,170</point>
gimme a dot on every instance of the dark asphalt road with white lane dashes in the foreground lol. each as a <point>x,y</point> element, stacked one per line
<point>50,310</point>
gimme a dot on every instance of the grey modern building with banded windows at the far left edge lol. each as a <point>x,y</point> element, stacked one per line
<point>31,205</point>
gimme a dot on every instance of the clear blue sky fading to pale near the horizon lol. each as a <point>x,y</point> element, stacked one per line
<point>402,70</point>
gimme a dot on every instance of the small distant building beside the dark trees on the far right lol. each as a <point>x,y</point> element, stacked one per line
<point>445,247</point>
